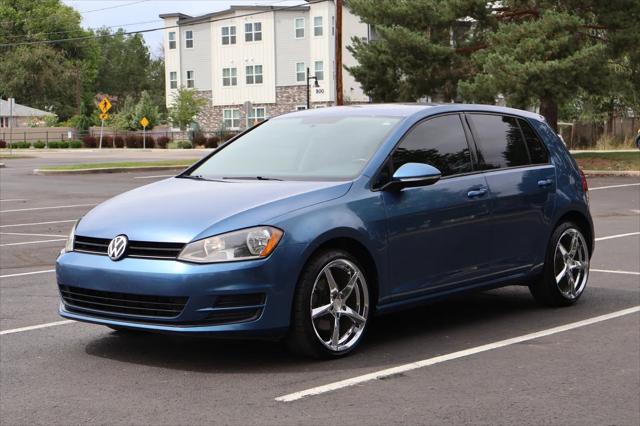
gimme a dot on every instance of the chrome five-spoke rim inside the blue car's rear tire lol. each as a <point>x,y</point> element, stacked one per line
<point>571,263</point>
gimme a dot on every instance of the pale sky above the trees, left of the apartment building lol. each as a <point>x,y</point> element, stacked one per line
<point>143,14</point>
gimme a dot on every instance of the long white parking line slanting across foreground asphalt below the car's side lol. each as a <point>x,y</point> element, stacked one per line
<point>448,357</point>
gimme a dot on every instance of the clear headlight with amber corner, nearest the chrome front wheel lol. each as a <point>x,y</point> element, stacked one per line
<point>246,244</point>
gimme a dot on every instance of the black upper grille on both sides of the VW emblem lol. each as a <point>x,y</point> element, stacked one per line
<point>139,249</point>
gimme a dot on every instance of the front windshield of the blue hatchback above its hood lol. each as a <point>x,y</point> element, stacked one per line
<point>313,147</point>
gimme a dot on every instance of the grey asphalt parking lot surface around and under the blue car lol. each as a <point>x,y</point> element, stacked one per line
<point>59,372</point>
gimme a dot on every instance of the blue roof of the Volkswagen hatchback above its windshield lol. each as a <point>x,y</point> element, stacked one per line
<point>408,110</point>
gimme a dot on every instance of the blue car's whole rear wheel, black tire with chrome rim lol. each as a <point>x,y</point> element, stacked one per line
<point>566,268</point>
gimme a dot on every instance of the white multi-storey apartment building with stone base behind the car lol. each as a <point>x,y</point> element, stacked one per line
<point>250,62</point>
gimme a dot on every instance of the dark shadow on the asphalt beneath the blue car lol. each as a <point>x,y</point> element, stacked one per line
<point>392,338</point>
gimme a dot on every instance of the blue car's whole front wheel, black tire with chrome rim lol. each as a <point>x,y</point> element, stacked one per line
<point>331,307</point>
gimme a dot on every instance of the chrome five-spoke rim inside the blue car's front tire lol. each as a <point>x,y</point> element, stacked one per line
<point>339,305</point>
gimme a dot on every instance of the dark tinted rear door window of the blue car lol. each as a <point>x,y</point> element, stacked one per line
<point>499,141</point>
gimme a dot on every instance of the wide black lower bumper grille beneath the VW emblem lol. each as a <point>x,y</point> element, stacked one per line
<point>122,303</point>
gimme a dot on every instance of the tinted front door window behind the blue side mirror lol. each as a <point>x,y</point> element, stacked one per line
<point>440,142</point>
